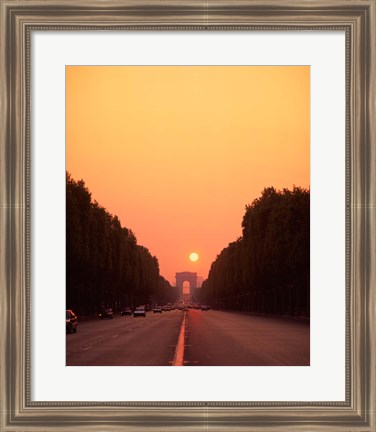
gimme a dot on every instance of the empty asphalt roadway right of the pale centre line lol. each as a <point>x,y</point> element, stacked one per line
<point>216,338</point>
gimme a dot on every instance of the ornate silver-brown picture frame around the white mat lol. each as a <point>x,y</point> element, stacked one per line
<point>18,19</point>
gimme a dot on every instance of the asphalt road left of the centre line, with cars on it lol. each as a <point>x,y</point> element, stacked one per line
<point>125,341</point>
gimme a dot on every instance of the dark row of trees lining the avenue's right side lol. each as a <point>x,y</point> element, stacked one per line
<point>267,270</point>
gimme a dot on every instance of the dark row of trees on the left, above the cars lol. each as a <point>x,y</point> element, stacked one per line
<point>104,264</point>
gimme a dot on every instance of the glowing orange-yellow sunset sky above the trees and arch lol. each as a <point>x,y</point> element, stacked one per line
<point>176,152</point>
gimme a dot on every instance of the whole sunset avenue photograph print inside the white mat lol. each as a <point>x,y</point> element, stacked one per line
<point>187,215</point>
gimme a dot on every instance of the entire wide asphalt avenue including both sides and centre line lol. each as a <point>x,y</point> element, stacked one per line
<point>203,338</point>
